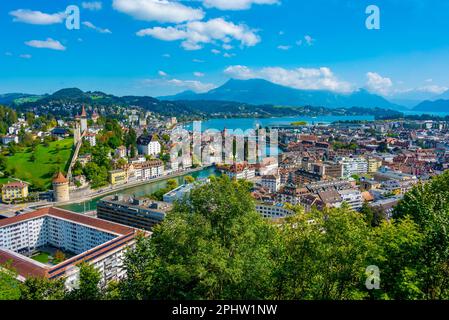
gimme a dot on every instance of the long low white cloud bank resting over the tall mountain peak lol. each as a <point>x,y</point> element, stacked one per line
<point>298,78</point>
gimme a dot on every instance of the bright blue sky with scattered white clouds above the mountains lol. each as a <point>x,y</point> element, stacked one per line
<point>160,47</point>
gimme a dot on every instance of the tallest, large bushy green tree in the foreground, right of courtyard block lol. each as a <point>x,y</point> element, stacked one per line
<point>214,246</point>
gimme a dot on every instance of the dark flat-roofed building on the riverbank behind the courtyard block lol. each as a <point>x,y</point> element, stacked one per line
<point>135,212</point>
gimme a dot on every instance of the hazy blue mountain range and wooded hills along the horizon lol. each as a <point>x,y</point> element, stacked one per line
<point>235,96</point>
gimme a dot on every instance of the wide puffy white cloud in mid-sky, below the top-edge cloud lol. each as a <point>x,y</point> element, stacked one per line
<point>196,33</point>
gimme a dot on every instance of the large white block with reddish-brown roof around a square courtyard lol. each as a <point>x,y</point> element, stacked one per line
<point>86,239</point>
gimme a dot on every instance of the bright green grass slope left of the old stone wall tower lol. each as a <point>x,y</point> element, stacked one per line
<point>47,161</point>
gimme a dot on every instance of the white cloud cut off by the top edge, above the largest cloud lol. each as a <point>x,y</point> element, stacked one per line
<point>158,10</point>
